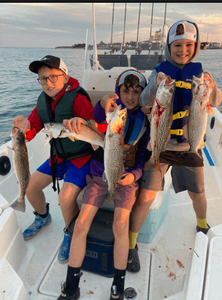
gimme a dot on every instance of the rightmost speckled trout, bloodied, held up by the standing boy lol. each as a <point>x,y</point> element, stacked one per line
<point>198,112</point>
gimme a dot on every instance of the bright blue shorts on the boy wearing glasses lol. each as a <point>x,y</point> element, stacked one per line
<point>68,172</point>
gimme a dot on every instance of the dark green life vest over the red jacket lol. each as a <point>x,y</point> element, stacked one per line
<point>63,148</point>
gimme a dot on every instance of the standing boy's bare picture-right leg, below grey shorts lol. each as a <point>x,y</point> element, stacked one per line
<point>199,204</point>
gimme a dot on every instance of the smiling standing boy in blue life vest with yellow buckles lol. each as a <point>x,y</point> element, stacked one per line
<point>181,49</point>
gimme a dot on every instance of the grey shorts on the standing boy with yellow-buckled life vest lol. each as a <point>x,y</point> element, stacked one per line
<point>183,178</point>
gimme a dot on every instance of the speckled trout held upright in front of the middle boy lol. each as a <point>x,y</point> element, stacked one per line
<point>113,153</point>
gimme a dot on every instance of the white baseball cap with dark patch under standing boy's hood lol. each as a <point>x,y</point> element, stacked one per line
<point>190,32</point>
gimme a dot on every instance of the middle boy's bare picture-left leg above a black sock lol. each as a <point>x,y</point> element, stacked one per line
<point>81,228</point>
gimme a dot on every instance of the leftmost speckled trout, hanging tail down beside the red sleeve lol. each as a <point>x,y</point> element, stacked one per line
<point>21,165</point>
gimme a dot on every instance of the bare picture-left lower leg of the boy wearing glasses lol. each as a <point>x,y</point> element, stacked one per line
<point>34,191</point>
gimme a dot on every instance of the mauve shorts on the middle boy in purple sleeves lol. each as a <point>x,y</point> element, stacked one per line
<point>96,191</point>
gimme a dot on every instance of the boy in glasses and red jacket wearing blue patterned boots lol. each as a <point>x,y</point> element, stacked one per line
<point>61,98</point>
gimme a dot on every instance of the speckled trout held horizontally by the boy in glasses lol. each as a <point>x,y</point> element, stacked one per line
<point>89,133</point>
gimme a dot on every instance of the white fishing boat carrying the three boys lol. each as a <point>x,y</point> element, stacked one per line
<point>176,262</point>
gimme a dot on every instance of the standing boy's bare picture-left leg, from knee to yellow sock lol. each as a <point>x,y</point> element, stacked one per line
<point>141,208</point>
